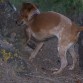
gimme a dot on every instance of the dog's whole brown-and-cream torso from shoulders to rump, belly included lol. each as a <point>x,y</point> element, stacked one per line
<point>51,23</point>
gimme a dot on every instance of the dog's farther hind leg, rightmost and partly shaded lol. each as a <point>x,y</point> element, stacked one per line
<point>74,57</point>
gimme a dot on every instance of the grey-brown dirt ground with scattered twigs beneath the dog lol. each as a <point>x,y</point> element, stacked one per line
<point>19,70</point>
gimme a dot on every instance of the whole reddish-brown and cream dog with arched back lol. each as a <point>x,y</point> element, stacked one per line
<point>49,24</point>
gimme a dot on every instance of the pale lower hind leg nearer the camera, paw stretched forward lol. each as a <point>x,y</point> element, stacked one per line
<point>62,55</point>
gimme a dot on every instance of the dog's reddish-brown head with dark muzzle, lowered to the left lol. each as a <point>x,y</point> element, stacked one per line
<point>26,12</point>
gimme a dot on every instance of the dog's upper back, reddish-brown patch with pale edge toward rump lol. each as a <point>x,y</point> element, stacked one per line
<point>49,20</point>
